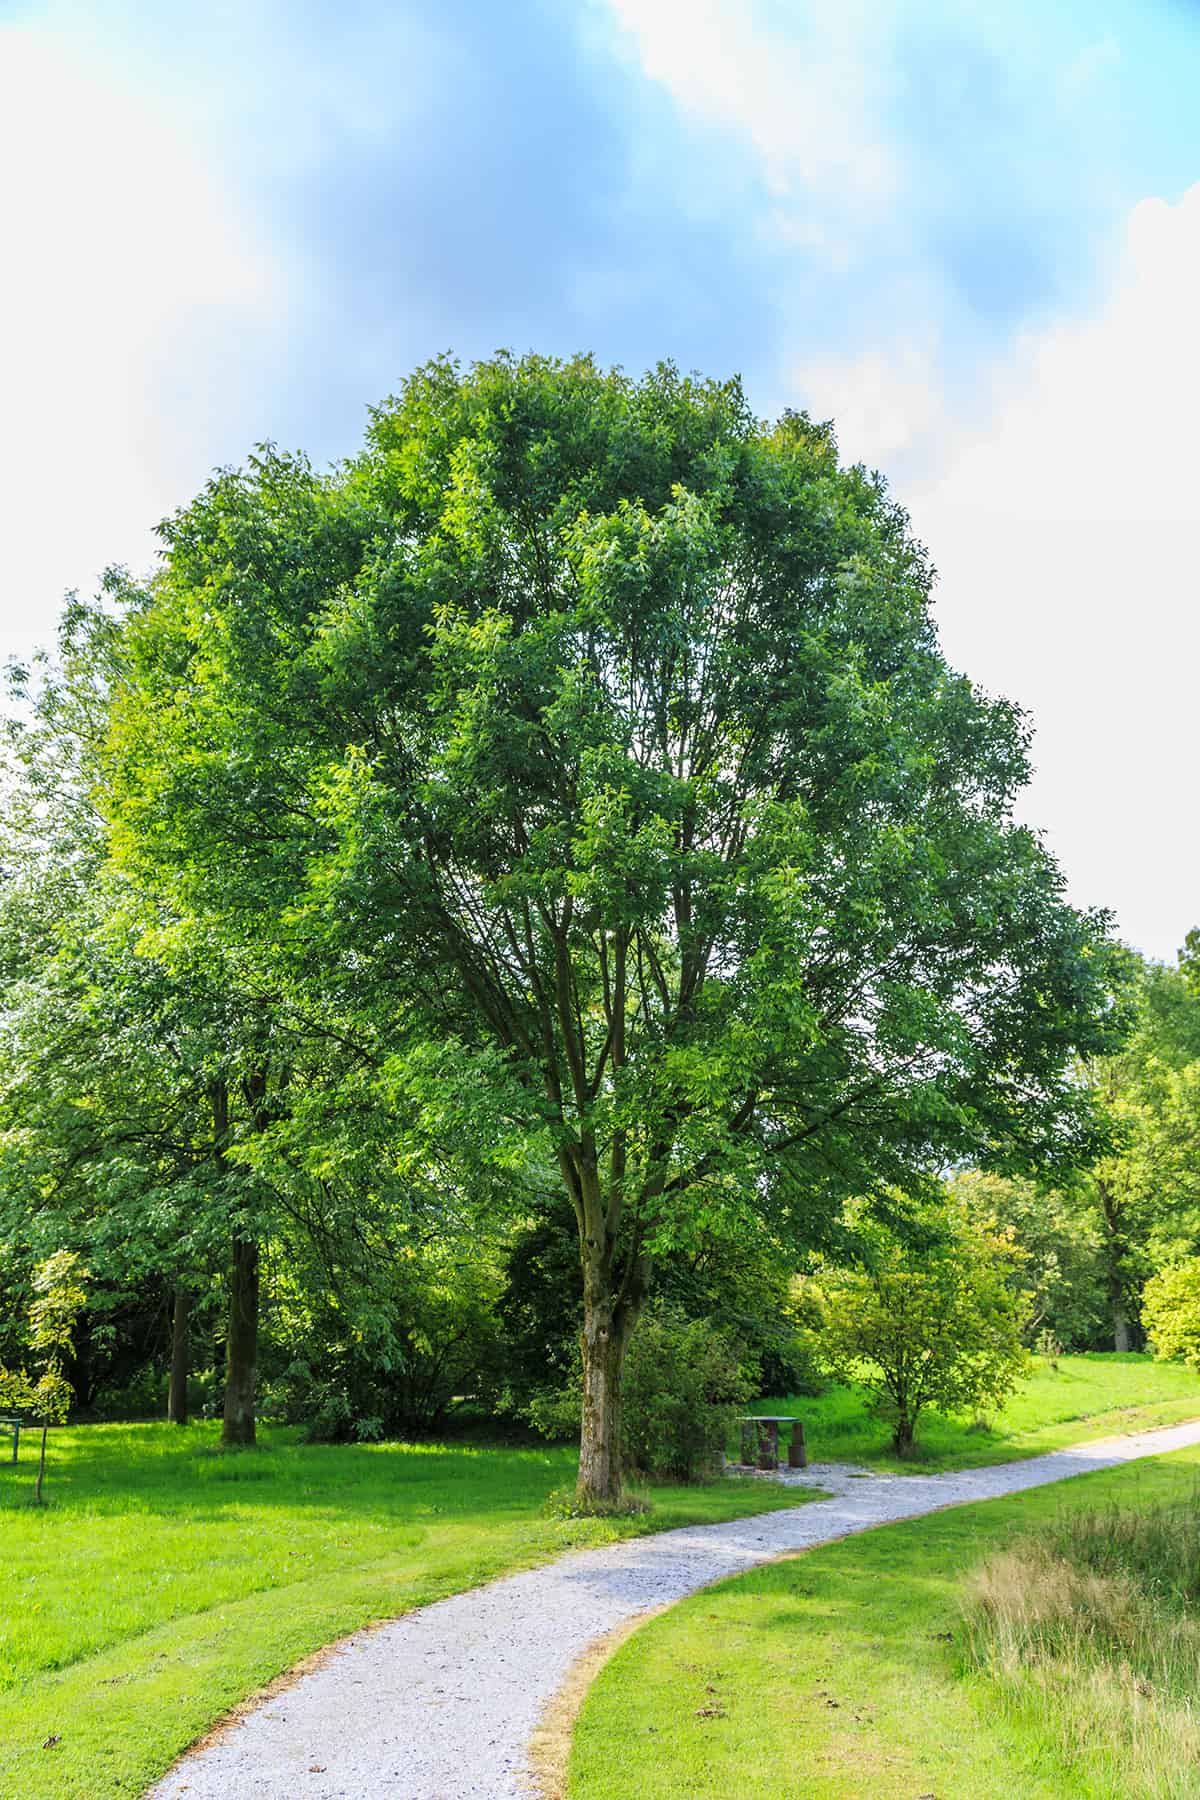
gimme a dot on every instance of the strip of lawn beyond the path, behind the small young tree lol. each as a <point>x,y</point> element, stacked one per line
<point>1084,1398</point>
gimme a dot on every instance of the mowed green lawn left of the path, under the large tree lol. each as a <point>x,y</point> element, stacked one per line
<point>168,1579</point>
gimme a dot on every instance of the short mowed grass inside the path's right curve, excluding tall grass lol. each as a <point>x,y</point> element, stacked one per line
<point>846,1673</point>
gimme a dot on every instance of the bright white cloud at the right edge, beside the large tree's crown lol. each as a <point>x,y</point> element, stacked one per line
<point>1066,532</point>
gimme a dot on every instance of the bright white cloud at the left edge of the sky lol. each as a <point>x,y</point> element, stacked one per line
<point>130,291</point>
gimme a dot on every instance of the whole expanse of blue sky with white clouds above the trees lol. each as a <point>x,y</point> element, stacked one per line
<point>971,235</point>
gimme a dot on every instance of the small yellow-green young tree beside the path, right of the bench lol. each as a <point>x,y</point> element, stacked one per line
<point>924,1324</point>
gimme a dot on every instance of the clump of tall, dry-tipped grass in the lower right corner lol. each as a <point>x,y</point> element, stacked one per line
<point>1089,1632</point>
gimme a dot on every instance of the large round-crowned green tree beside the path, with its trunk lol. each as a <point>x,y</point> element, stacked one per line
<point>593,739</point>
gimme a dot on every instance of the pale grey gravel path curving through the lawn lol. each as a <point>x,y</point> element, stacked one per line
<point>442,1704</point>
